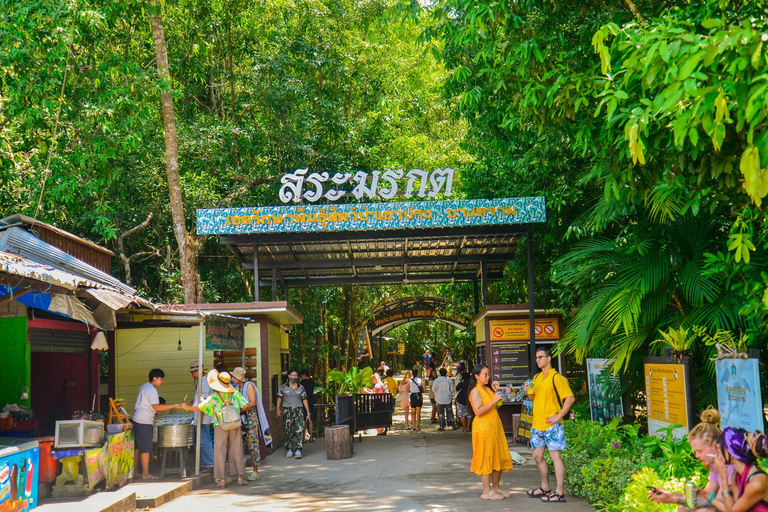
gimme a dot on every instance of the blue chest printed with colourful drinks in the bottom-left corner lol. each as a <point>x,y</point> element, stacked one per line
<point>19,463</point>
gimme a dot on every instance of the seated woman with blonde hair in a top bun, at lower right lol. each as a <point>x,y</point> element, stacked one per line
<point>703,439</point>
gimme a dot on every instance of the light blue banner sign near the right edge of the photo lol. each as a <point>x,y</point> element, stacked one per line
<point>738,394</point>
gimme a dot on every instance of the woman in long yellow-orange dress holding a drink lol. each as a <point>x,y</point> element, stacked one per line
<point>490,456</point>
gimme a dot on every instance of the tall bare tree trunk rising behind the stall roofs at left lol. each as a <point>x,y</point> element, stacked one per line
<point>187,245</point>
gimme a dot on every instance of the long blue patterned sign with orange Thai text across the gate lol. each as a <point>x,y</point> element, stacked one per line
<point>370,216</point>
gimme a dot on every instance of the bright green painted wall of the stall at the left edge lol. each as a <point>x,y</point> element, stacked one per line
<point>16,359</point>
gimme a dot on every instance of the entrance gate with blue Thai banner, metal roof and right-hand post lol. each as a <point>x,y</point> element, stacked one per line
<point>380,243</point>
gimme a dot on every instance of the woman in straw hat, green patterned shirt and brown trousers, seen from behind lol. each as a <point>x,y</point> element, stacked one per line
<point>227,444</point>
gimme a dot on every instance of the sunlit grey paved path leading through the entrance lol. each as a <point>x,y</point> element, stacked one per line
<point>427,471</point>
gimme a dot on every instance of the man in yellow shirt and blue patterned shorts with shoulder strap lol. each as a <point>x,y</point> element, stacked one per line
<point>552,399</point>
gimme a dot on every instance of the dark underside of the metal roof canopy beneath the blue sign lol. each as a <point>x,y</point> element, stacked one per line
<point>409,255</point>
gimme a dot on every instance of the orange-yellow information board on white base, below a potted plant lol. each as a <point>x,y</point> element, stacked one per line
<point>667,395</point>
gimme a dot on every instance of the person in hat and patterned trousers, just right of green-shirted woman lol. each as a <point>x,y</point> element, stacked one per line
<point>255,423</point>
